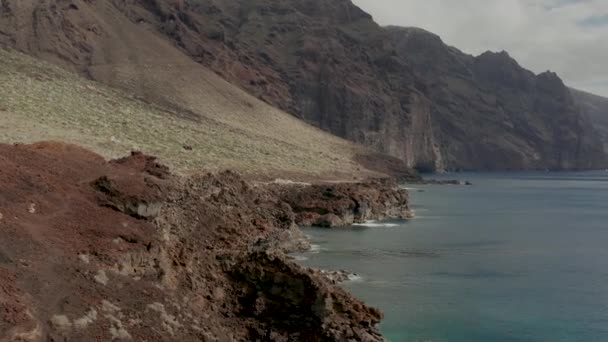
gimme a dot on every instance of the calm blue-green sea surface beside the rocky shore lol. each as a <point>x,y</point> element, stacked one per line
<point>515,257</point>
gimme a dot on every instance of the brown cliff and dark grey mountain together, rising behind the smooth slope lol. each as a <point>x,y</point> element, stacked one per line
<point>400,91</point>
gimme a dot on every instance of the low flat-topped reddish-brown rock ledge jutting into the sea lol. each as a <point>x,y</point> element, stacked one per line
<point>343,204</point>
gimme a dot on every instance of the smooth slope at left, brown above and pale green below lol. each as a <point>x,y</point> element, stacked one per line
<point>220,125</point>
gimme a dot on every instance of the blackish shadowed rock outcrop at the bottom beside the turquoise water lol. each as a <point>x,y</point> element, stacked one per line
<point>303,305</point>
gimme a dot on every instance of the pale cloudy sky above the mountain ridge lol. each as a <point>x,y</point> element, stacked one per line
<point>566,36</point>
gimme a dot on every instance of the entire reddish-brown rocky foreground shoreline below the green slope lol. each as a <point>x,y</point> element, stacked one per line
<point>132,252</point>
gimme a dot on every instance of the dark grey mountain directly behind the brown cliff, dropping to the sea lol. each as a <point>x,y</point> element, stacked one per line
<point>493,113</point>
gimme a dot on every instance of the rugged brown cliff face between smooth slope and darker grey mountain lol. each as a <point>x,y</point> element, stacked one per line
<point>328,63</point>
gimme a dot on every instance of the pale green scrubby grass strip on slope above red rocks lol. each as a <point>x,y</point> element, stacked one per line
<point>39,101</point>
